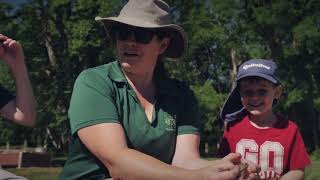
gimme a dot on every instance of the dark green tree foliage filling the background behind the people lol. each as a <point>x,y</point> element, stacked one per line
<point>61,38</point>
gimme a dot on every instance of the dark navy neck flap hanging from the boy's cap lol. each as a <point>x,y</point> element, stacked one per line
<point>233,109</point>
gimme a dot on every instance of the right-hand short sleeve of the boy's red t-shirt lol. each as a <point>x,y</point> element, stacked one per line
<point>299,156</point>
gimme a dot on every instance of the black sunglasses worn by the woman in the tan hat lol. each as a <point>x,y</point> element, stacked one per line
<point>124,32</point>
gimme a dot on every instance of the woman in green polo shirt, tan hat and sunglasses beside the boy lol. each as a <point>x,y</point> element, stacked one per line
<point>128,119</point>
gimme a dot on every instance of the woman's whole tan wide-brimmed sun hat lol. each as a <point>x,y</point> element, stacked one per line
<point>151,14</point>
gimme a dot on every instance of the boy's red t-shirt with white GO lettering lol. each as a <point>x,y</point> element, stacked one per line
<point>277,150</point>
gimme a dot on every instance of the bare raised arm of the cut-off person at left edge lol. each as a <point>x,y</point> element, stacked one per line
<point>21,109</point>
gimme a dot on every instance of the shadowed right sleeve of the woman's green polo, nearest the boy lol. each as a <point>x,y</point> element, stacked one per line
<point>189,123</point>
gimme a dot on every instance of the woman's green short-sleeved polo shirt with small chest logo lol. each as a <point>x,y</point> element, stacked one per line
<point>103,95</point>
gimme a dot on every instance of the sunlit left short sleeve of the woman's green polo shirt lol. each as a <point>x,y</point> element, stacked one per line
<point>92,101</point>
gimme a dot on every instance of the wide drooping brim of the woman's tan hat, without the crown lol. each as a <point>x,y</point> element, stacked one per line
<point>178,37</point>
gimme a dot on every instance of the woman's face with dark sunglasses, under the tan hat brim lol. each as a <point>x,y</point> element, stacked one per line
<point>138,49</point>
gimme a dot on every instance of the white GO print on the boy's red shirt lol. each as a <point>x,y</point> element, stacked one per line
<point>271,154</point>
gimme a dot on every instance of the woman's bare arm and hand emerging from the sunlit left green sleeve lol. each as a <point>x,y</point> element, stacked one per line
<point>107,142</point>
